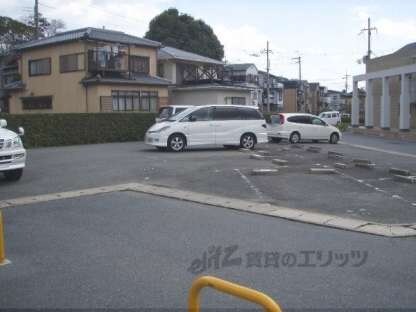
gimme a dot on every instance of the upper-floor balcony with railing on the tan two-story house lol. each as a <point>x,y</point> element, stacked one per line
<point>104,61</point>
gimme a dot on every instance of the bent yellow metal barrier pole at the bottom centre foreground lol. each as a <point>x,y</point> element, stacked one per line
<point>232,289</point>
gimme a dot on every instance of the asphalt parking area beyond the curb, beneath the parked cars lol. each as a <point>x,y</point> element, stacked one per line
<point>358,193</point>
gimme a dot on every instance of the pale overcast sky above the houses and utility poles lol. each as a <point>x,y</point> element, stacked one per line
<point>323,32</point>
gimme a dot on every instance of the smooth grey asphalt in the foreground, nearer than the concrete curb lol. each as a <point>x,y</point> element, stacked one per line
<point>127,250</point>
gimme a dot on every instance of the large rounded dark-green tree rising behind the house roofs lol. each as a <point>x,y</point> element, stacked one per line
<point>182,31</point>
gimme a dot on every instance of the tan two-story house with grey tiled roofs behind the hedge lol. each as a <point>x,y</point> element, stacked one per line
<point>87,70</point>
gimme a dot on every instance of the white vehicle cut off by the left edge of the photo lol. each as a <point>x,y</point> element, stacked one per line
<point>12,152</point>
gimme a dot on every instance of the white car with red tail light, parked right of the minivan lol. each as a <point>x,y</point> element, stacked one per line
<point>297,127</point>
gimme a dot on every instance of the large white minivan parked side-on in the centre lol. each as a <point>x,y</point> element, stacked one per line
<point>226,125</point>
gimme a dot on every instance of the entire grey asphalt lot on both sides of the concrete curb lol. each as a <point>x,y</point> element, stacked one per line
<point>126,249</point>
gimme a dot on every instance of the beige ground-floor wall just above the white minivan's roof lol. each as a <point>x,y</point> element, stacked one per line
<point>205,97</point>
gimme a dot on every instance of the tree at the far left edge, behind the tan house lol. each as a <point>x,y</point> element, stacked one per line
<point>13,32</point>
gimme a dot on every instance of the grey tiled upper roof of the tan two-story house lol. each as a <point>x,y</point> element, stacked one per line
<point>92,34</point>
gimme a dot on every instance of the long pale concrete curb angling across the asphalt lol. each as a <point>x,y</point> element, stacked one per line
<point>321,219</point>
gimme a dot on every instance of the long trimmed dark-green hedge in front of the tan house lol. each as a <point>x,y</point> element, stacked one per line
<point>72,129</point>
